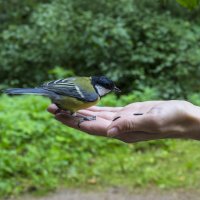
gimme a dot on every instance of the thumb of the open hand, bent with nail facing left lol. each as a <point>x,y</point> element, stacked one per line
<point>130,124</point>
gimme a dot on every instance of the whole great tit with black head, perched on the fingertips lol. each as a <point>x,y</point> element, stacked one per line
<point>71,94</point>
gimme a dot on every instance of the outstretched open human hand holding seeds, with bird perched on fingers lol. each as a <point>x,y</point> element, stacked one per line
<point>139,121</point>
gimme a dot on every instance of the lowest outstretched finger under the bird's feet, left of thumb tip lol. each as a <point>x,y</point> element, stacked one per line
<point>94,127</point>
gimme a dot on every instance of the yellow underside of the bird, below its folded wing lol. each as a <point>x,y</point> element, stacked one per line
<point>73,105</point>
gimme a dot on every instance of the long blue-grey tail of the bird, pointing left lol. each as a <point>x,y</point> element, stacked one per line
<point>18,91</point>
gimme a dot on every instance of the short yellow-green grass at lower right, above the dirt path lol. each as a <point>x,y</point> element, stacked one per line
<point>174,167</point>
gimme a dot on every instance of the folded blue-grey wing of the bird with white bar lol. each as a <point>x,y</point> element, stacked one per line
<point>68,87</point>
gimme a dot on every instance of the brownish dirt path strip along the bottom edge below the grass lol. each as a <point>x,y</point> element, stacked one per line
<point>114,194</point>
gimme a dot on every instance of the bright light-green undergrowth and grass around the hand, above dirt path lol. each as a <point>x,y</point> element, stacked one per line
<point>37,153</point>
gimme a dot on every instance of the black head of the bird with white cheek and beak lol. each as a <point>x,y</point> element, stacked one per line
<point>103,85</point>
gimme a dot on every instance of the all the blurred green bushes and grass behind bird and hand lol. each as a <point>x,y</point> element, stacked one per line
<point>149,48</point>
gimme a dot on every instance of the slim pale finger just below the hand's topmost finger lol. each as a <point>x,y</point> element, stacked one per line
<point>105,115</point>
